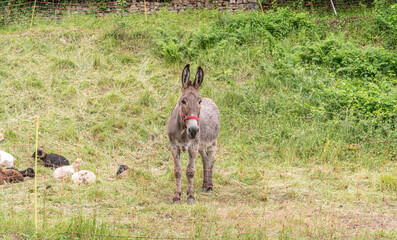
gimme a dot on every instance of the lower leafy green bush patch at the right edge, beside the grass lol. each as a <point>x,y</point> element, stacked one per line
<point>359,100</point>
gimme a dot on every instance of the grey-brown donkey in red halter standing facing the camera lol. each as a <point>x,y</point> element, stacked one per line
<point>194,127</point>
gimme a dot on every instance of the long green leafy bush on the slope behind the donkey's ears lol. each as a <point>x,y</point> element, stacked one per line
<point>233,29</point>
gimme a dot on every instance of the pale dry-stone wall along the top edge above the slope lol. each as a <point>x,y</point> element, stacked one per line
<point>182,5</point>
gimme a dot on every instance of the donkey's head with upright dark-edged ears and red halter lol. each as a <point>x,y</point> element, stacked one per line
<point>190,101</point>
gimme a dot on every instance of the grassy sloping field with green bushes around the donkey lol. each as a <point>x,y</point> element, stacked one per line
<point>299,94</point>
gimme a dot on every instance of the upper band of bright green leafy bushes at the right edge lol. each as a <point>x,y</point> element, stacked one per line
<point>345,58</point>
